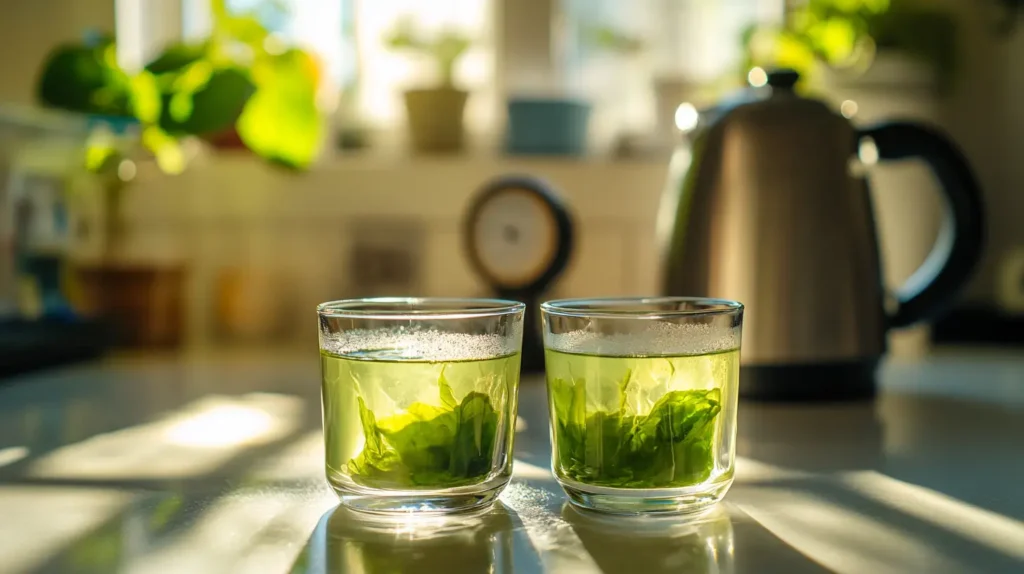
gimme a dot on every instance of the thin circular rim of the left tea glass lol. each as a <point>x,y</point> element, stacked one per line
<point>412,308</point>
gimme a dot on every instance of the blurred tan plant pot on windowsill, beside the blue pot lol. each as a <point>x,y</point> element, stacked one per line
<point>436,119</point>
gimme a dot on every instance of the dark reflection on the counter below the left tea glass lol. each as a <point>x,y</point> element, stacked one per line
<point>349,542</point>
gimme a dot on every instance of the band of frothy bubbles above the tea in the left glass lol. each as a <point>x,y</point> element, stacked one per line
<point>416,345</point>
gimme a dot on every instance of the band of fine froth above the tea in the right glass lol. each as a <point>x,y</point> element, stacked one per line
<point>653,339</point>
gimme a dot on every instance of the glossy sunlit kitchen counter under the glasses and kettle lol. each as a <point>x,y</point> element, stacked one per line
<point>212,463</point>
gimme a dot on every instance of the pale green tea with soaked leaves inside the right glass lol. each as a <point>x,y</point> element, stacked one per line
<point>641,422</point>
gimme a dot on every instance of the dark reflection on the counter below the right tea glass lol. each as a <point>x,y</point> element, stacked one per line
<point>702,545</point>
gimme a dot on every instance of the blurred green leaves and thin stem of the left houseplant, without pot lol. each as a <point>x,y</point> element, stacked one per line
<point>236,87</point>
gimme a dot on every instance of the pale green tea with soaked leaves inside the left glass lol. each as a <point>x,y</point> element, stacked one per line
<point>397,424</point>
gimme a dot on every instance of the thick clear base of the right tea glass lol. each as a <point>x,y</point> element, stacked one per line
<point>689,501</point>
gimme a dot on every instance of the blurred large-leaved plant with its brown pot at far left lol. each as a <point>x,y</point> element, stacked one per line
<point>237,89</point>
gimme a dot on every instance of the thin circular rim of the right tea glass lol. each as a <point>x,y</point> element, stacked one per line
<point>619,307</point>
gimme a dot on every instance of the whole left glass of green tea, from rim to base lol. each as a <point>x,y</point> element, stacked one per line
<point>420,401</point>
